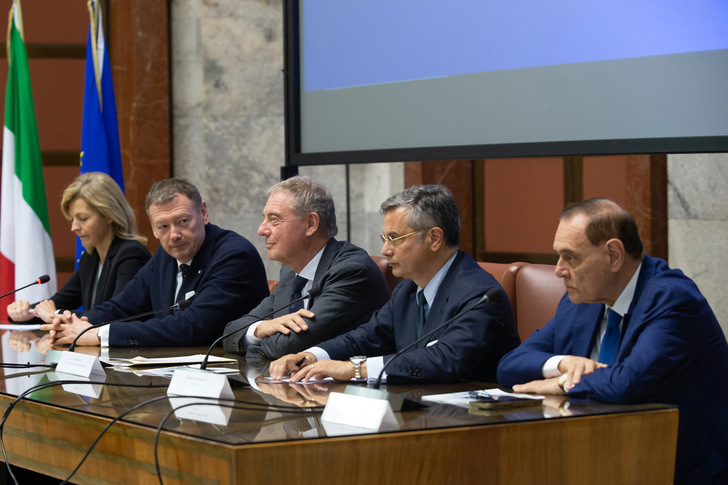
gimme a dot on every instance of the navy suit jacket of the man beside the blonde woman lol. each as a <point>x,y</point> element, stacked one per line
<point>228,279</point>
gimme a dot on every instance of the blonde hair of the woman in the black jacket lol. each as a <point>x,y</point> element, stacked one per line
<point>100,191</point>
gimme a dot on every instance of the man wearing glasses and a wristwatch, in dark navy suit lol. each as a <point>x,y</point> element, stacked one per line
<point>421,236</point>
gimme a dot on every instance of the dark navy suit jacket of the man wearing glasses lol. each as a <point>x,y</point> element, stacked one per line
<point>469,348</point>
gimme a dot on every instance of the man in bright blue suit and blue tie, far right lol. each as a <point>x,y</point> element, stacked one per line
<point>629,330</point>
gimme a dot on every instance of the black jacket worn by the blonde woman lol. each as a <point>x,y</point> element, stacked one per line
<point>124,259</point>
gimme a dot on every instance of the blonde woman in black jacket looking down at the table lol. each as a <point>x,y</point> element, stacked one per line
<point>102,218</point>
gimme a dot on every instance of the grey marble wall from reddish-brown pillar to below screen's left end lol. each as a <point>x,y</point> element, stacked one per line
<point>228,123</point>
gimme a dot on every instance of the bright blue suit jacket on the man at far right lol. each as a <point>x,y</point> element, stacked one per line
<point>672,351</point>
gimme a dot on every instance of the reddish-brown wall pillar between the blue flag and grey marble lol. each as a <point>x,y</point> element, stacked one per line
<point>138,39</point>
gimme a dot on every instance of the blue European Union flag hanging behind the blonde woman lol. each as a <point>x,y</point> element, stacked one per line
<point>100,150</point>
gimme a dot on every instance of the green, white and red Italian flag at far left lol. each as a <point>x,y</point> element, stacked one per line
<point>26,251</point>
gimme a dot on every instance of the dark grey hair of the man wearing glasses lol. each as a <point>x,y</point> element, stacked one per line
<point>428,206</point>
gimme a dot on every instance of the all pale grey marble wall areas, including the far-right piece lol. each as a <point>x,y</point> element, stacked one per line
<point>227,60</point>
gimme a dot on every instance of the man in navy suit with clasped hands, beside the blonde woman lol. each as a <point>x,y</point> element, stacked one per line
<point>219,271</point>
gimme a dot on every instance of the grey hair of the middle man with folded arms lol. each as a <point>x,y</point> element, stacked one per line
<point>309,195</point>
